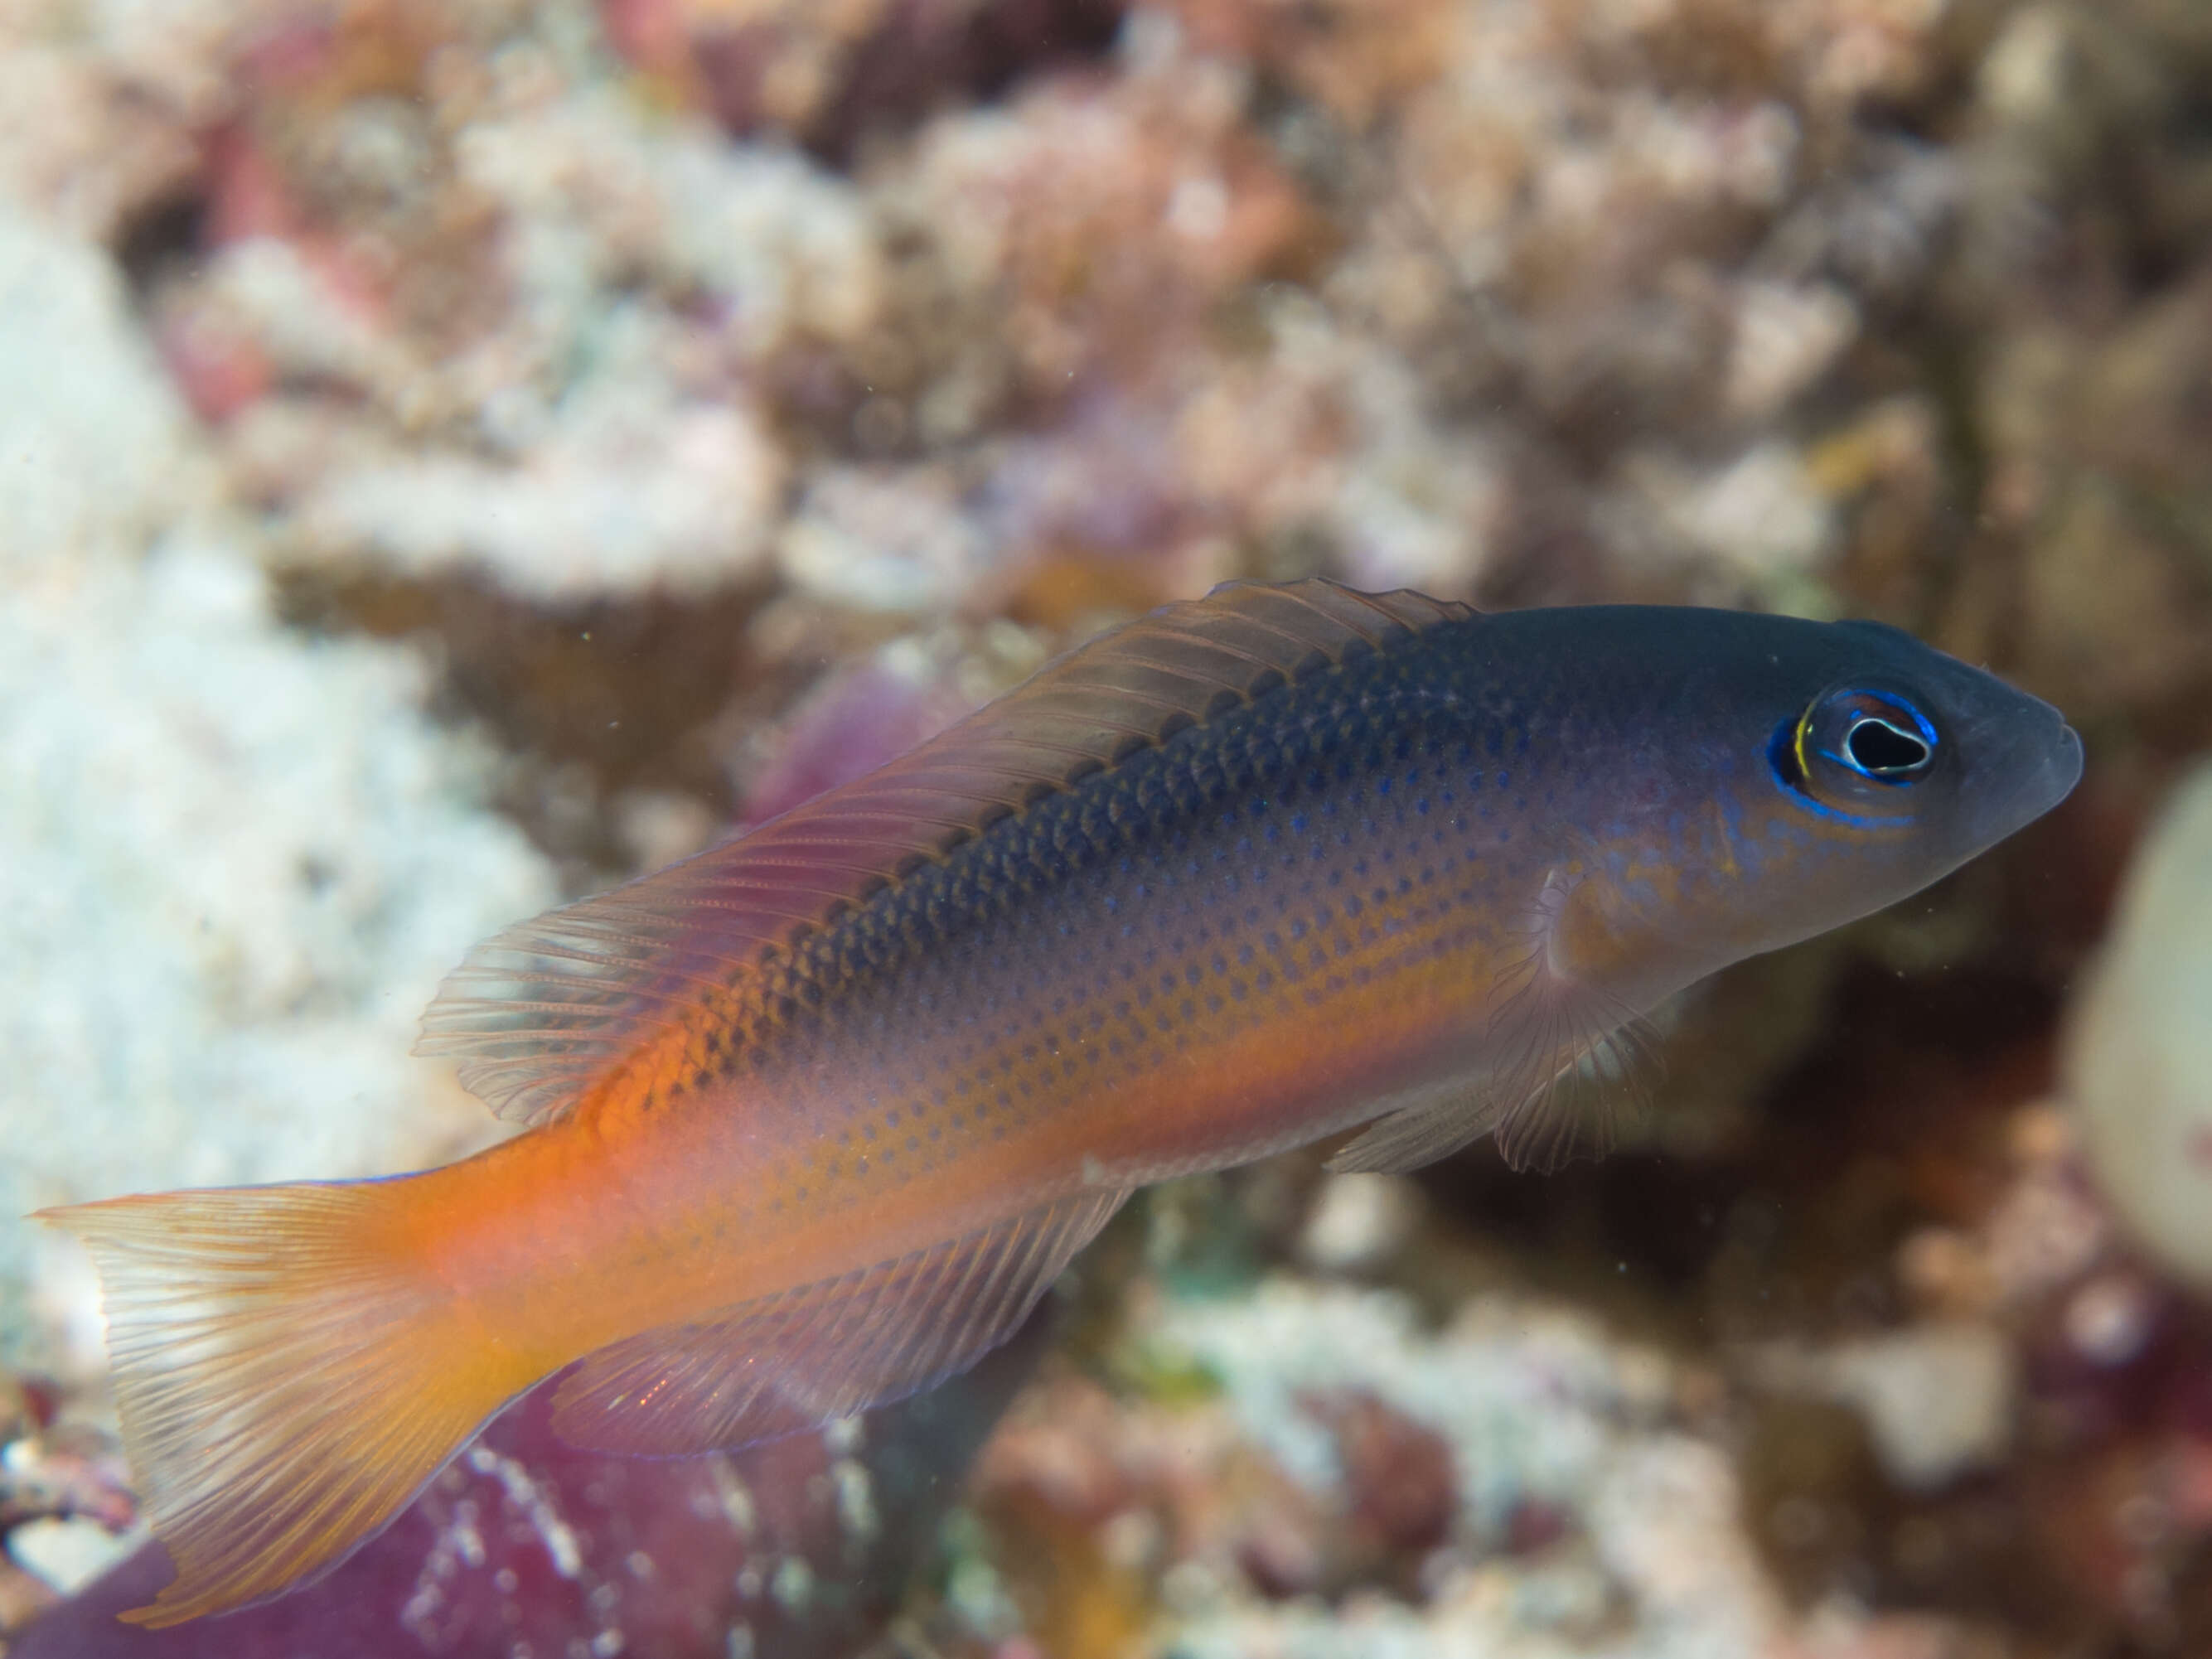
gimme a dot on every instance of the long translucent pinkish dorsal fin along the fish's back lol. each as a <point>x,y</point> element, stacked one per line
<point>547,1008</point>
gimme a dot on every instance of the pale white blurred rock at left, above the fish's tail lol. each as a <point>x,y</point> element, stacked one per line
<point>233,859</point>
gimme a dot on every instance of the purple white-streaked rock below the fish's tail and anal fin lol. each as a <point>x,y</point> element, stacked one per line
<point>530,1547</point>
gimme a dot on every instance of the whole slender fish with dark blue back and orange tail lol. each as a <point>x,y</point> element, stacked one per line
<point>815,1118</point>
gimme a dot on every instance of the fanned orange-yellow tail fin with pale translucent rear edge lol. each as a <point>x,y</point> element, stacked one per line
<point>286,1379</point>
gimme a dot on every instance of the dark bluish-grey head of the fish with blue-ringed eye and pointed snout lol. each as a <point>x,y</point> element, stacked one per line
<point>1864,766</point>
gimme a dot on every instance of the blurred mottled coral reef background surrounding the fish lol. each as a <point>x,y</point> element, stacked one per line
<point>461,452</point>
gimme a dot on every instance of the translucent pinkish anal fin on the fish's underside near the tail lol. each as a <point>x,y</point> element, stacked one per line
<point>817,1353</point>
